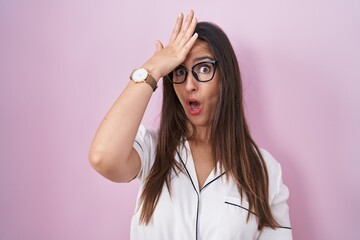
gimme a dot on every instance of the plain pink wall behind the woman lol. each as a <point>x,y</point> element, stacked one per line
<point>63,63</point>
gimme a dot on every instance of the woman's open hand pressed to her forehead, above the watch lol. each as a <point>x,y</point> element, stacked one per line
<point>165,59</point>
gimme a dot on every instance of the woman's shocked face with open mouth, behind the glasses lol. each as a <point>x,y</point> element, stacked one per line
<point>199,99</point>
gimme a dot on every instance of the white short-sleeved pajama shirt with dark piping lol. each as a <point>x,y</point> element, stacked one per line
<point>214,212</point>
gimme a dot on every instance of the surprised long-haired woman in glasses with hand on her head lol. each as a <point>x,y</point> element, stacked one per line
<point>202,175</point>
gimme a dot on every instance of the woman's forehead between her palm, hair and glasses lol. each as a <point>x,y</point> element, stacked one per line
<point>200,51</point>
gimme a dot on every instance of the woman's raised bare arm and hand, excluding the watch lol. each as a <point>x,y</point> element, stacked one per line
<point>112,153</point>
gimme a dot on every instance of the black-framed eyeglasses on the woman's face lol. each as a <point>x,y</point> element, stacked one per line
<point>202,72</point>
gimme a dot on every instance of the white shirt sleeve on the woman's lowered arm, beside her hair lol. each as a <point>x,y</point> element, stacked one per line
<point>278,196</point>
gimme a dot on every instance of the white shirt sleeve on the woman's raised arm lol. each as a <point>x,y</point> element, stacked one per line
<point>145,145</point>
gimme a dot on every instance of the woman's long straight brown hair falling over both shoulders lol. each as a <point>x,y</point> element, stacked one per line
<point>231,142</point>
